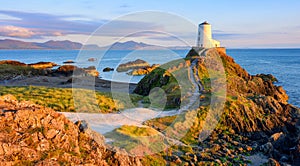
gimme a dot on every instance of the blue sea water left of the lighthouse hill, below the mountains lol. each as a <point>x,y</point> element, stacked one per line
<point>111,58</point>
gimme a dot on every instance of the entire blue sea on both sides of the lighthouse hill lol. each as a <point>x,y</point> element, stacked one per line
<point>284,64</point>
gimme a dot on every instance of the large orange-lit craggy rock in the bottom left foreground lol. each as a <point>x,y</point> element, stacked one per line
<point>33,135</point>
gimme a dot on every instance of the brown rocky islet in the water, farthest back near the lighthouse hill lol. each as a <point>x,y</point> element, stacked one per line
<point>132,65</point>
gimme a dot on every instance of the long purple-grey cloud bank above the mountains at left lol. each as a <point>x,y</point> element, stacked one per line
<point>40,25</point>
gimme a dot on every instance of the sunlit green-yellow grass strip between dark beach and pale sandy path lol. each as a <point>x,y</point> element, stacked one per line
<point>65,100</point>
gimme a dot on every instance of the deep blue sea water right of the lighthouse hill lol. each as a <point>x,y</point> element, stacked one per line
<point>284,64</point>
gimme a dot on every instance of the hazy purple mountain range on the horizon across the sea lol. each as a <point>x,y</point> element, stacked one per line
<point>69,45</point>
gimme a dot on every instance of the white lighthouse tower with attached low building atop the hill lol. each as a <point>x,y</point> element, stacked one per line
<point>205,39</point>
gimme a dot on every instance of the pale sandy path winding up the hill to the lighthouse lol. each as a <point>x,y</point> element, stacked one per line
<point>104,123</point>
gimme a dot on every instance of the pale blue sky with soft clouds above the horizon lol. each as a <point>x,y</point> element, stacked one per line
<point>236,23</point>
